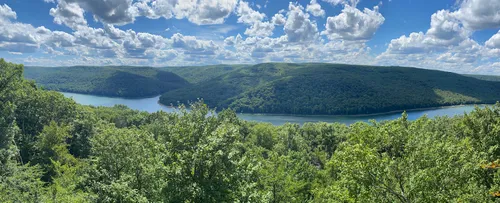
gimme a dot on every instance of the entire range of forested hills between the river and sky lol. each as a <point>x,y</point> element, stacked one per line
<point>286,88</point>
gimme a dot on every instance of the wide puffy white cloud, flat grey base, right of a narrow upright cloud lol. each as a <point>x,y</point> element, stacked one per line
<point>353,24</point>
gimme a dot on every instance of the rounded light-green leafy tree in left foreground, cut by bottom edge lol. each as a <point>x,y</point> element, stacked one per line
<point>126,166</point>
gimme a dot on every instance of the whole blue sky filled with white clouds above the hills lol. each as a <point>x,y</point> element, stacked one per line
<point>452,35</point>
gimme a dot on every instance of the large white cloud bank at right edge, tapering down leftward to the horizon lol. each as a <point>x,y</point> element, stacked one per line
<point>447,44</point>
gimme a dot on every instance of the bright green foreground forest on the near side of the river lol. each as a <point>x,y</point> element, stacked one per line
<point>54,150</point>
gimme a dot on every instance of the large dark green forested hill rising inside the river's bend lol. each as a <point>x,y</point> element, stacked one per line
<point>335,89</point>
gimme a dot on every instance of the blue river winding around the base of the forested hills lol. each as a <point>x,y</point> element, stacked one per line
<point>152,105</point>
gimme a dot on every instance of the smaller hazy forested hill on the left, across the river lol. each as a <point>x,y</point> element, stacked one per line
<point>107,81</point>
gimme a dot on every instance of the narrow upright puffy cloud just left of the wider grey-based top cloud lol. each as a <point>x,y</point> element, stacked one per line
<point>298,26</point>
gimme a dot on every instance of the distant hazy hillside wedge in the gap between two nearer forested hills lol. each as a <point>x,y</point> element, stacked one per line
<point>196,74</point>
